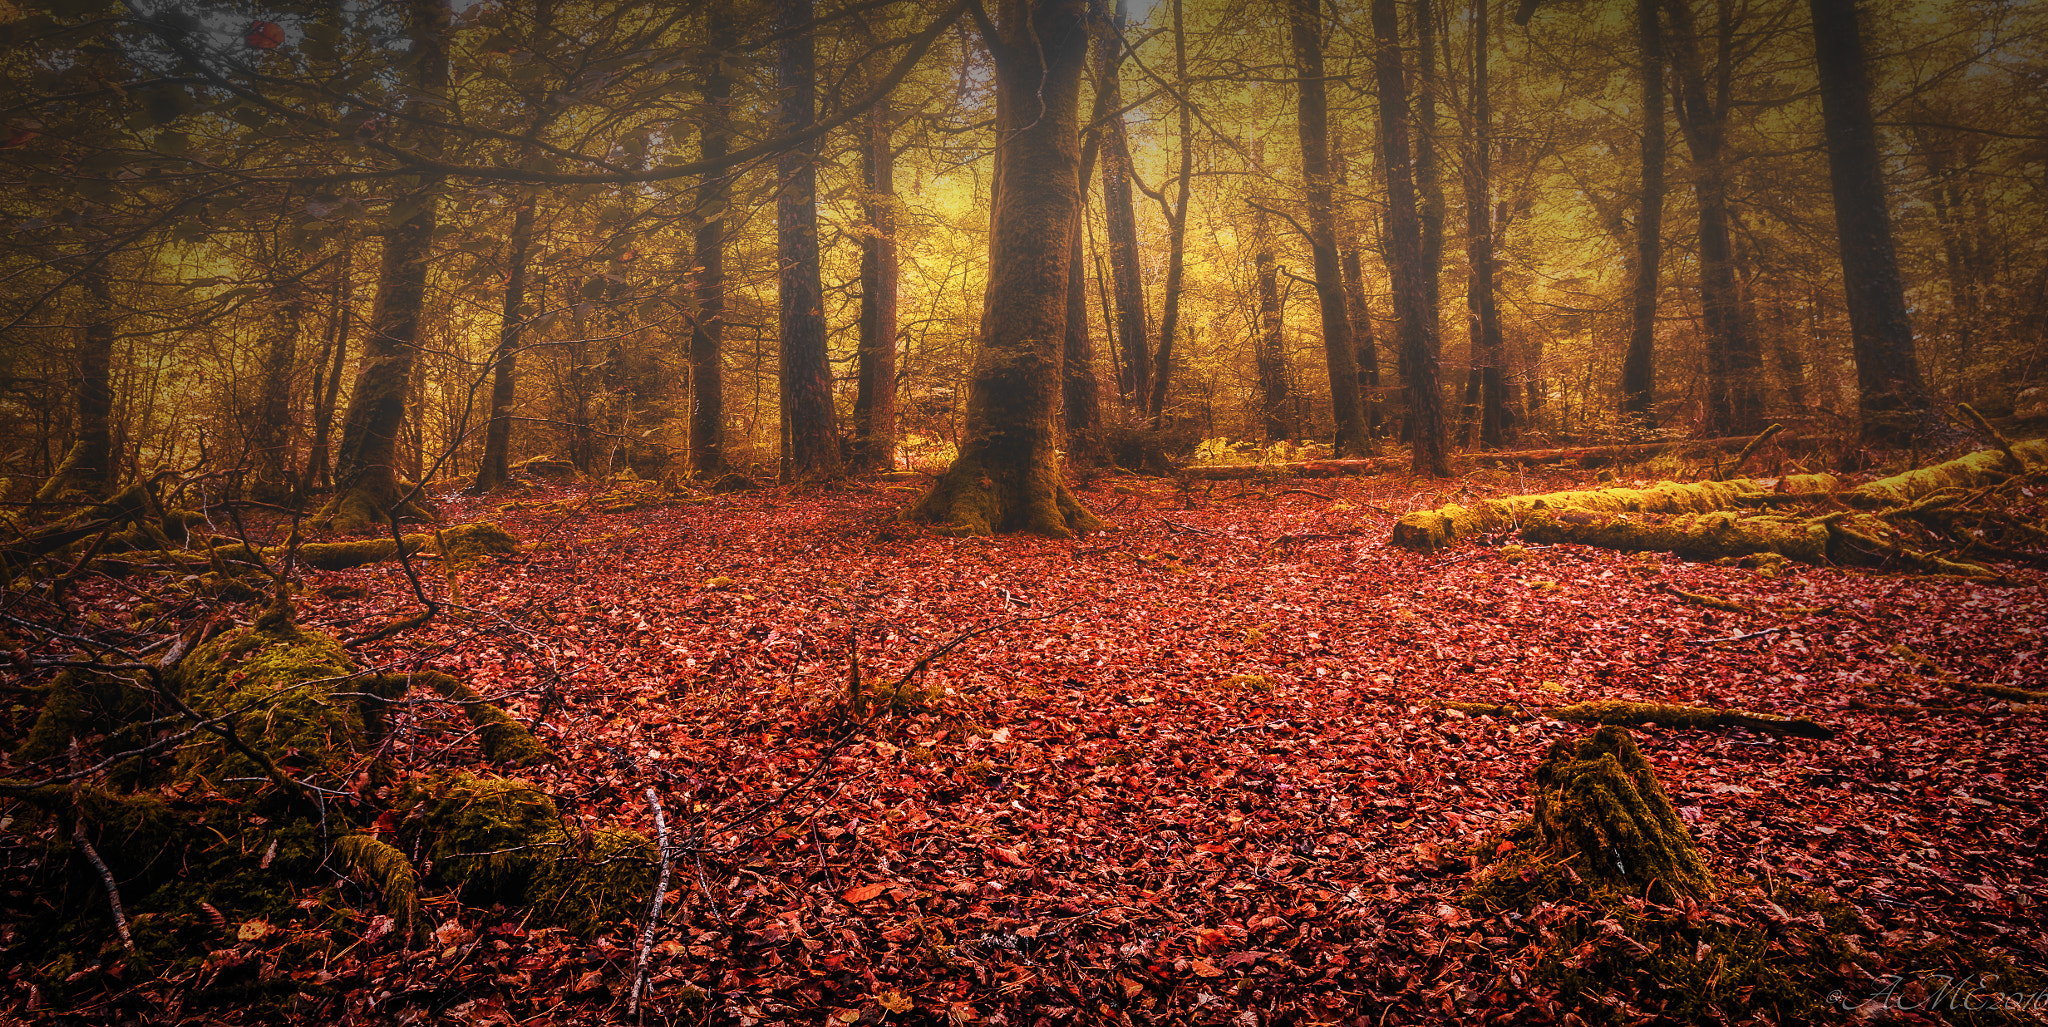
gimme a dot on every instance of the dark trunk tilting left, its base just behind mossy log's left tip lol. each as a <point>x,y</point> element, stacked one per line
<point>1406,253</point>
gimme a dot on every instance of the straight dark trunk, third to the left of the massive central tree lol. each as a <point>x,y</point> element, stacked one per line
<point>714,192</point>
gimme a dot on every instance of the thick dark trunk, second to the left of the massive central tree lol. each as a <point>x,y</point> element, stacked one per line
<point>812,425</point>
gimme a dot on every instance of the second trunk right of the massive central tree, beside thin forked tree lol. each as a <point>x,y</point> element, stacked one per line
<point>1134,339</point>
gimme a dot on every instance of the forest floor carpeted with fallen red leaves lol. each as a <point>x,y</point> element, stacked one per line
<point>1193,772</point>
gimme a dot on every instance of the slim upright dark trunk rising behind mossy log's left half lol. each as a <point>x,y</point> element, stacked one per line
<point>1480,300</point>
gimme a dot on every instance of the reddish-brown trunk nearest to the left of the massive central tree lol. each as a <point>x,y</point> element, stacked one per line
<point>876,401</point>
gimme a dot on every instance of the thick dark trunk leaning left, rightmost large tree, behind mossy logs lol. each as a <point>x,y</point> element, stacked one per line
<point>1891,395</point>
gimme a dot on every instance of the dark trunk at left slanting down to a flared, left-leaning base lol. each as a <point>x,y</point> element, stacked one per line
<point>368,458</point>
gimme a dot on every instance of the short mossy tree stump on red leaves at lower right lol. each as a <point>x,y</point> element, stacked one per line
<point>1601,821</point>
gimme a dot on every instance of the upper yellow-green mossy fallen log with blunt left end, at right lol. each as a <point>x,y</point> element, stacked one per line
<point>1447,526</point>
